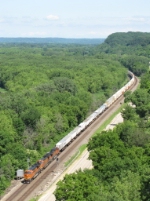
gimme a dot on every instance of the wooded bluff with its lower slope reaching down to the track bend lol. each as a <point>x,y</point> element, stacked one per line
<point>132,49</point>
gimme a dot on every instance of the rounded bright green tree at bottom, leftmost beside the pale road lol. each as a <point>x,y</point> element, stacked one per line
<point>80,186</point>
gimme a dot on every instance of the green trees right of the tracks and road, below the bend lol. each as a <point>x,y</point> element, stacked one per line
<point>121,158</point>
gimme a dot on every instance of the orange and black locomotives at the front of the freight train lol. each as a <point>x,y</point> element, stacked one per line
<point>36,169</point>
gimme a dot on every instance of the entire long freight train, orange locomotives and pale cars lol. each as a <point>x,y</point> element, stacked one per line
<point>42,163</point>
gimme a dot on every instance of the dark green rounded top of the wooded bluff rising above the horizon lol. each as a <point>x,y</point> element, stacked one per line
<point>127,43</point>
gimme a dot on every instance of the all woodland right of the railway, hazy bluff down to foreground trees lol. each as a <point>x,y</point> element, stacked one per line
<point>120,157</point>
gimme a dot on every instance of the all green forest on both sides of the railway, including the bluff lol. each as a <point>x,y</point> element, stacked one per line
<point>48,89</point>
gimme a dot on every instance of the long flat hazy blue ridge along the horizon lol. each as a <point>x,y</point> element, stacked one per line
<point>53,40</point>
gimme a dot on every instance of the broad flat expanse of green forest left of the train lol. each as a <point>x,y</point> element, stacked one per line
<point>45,91</point>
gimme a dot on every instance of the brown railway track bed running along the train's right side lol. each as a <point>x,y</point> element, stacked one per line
<point>25,190</point>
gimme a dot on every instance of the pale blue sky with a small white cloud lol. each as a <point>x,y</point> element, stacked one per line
<point>72,18</point>
